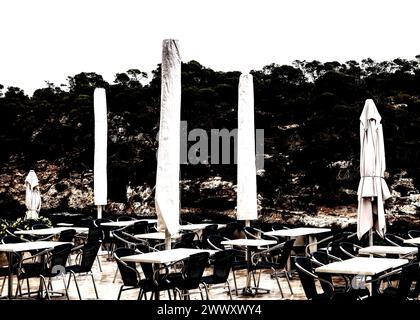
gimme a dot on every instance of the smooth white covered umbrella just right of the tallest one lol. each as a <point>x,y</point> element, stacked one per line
<point>247,172</point>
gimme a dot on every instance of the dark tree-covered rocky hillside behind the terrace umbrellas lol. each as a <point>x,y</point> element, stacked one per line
<point>309,113</point>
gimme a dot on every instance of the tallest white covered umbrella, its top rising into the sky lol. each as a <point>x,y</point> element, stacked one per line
<point>167,196</point>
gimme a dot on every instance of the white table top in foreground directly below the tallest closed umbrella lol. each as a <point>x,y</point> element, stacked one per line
<point>164,256</point>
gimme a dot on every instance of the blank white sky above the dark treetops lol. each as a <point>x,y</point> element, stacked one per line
<point>52,39</point>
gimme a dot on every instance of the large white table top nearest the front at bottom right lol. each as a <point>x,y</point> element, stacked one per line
<point>362,265</point>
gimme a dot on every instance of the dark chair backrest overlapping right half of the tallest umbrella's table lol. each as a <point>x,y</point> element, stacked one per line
<point>193,270</point>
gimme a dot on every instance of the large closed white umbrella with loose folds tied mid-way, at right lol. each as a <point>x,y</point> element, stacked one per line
<point>373,190</point>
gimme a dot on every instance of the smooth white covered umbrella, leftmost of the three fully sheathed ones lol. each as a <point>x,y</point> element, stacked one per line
<point>100,186</point>
